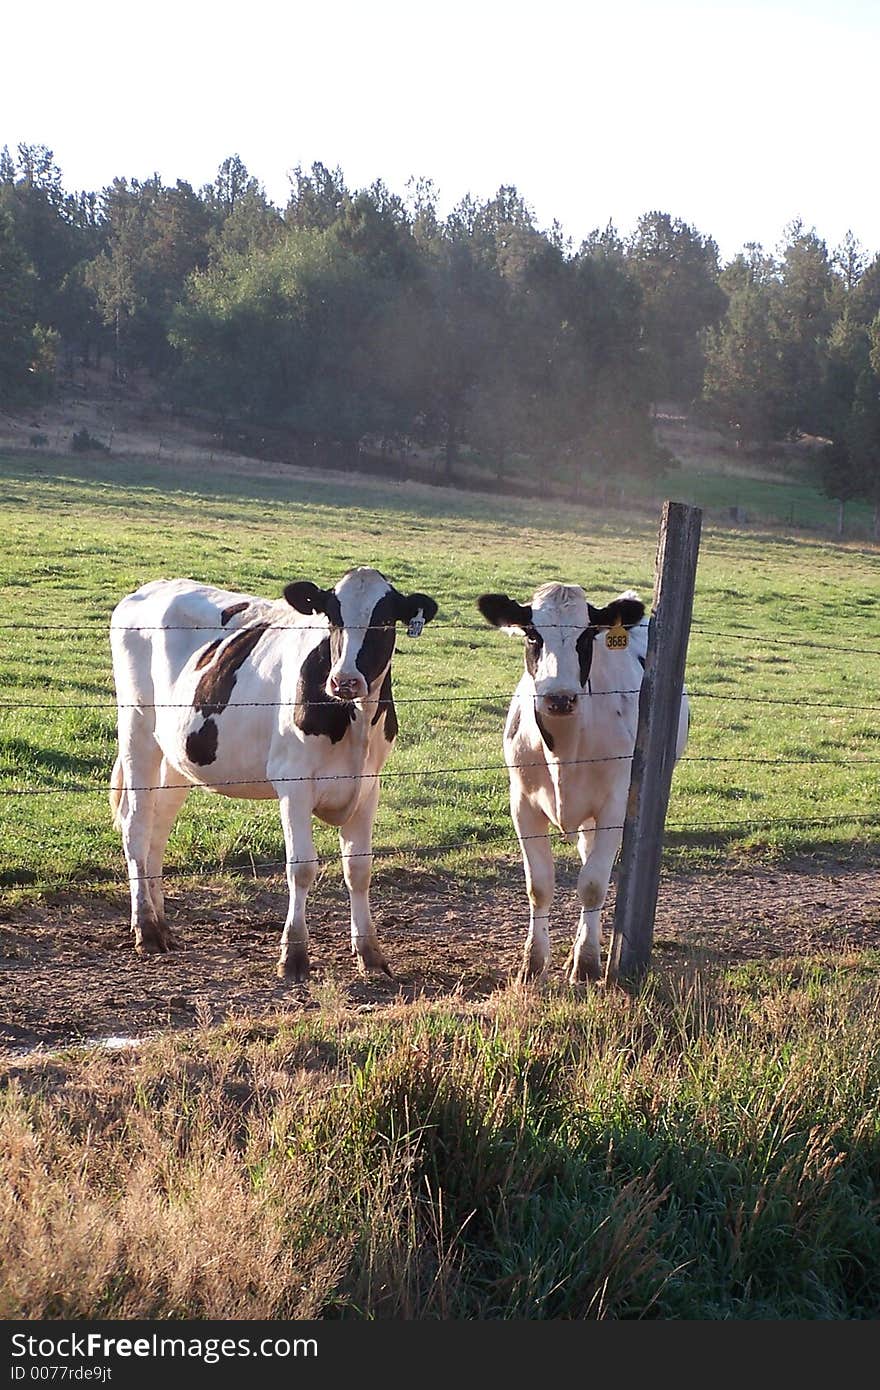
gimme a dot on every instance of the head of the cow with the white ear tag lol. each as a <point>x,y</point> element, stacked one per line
<point>364,611</point>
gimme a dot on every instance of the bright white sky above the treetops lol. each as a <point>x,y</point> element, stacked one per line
<point>736,117</point>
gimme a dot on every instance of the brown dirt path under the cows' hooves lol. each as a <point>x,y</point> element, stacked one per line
<point>69,971</point>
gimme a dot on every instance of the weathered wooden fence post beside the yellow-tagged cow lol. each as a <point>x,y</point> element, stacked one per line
<point>654,758</point>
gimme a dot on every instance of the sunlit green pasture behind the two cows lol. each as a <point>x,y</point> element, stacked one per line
<point>785,664</point>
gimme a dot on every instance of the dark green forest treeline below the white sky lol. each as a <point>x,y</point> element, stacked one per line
<point>359,316</point>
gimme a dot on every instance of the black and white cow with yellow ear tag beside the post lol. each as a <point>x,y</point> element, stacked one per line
<point>569,744</point>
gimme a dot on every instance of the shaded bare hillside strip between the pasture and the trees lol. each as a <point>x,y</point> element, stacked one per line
<point>735,487</point>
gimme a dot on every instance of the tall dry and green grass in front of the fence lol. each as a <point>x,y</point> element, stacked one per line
<point>708,1150</point>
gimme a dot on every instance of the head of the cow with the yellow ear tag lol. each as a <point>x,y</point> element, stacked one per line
<point>560,628</point>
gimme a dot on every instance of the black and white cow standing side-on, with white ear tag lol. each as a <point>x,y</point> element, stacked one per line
<point>258,698</point>
